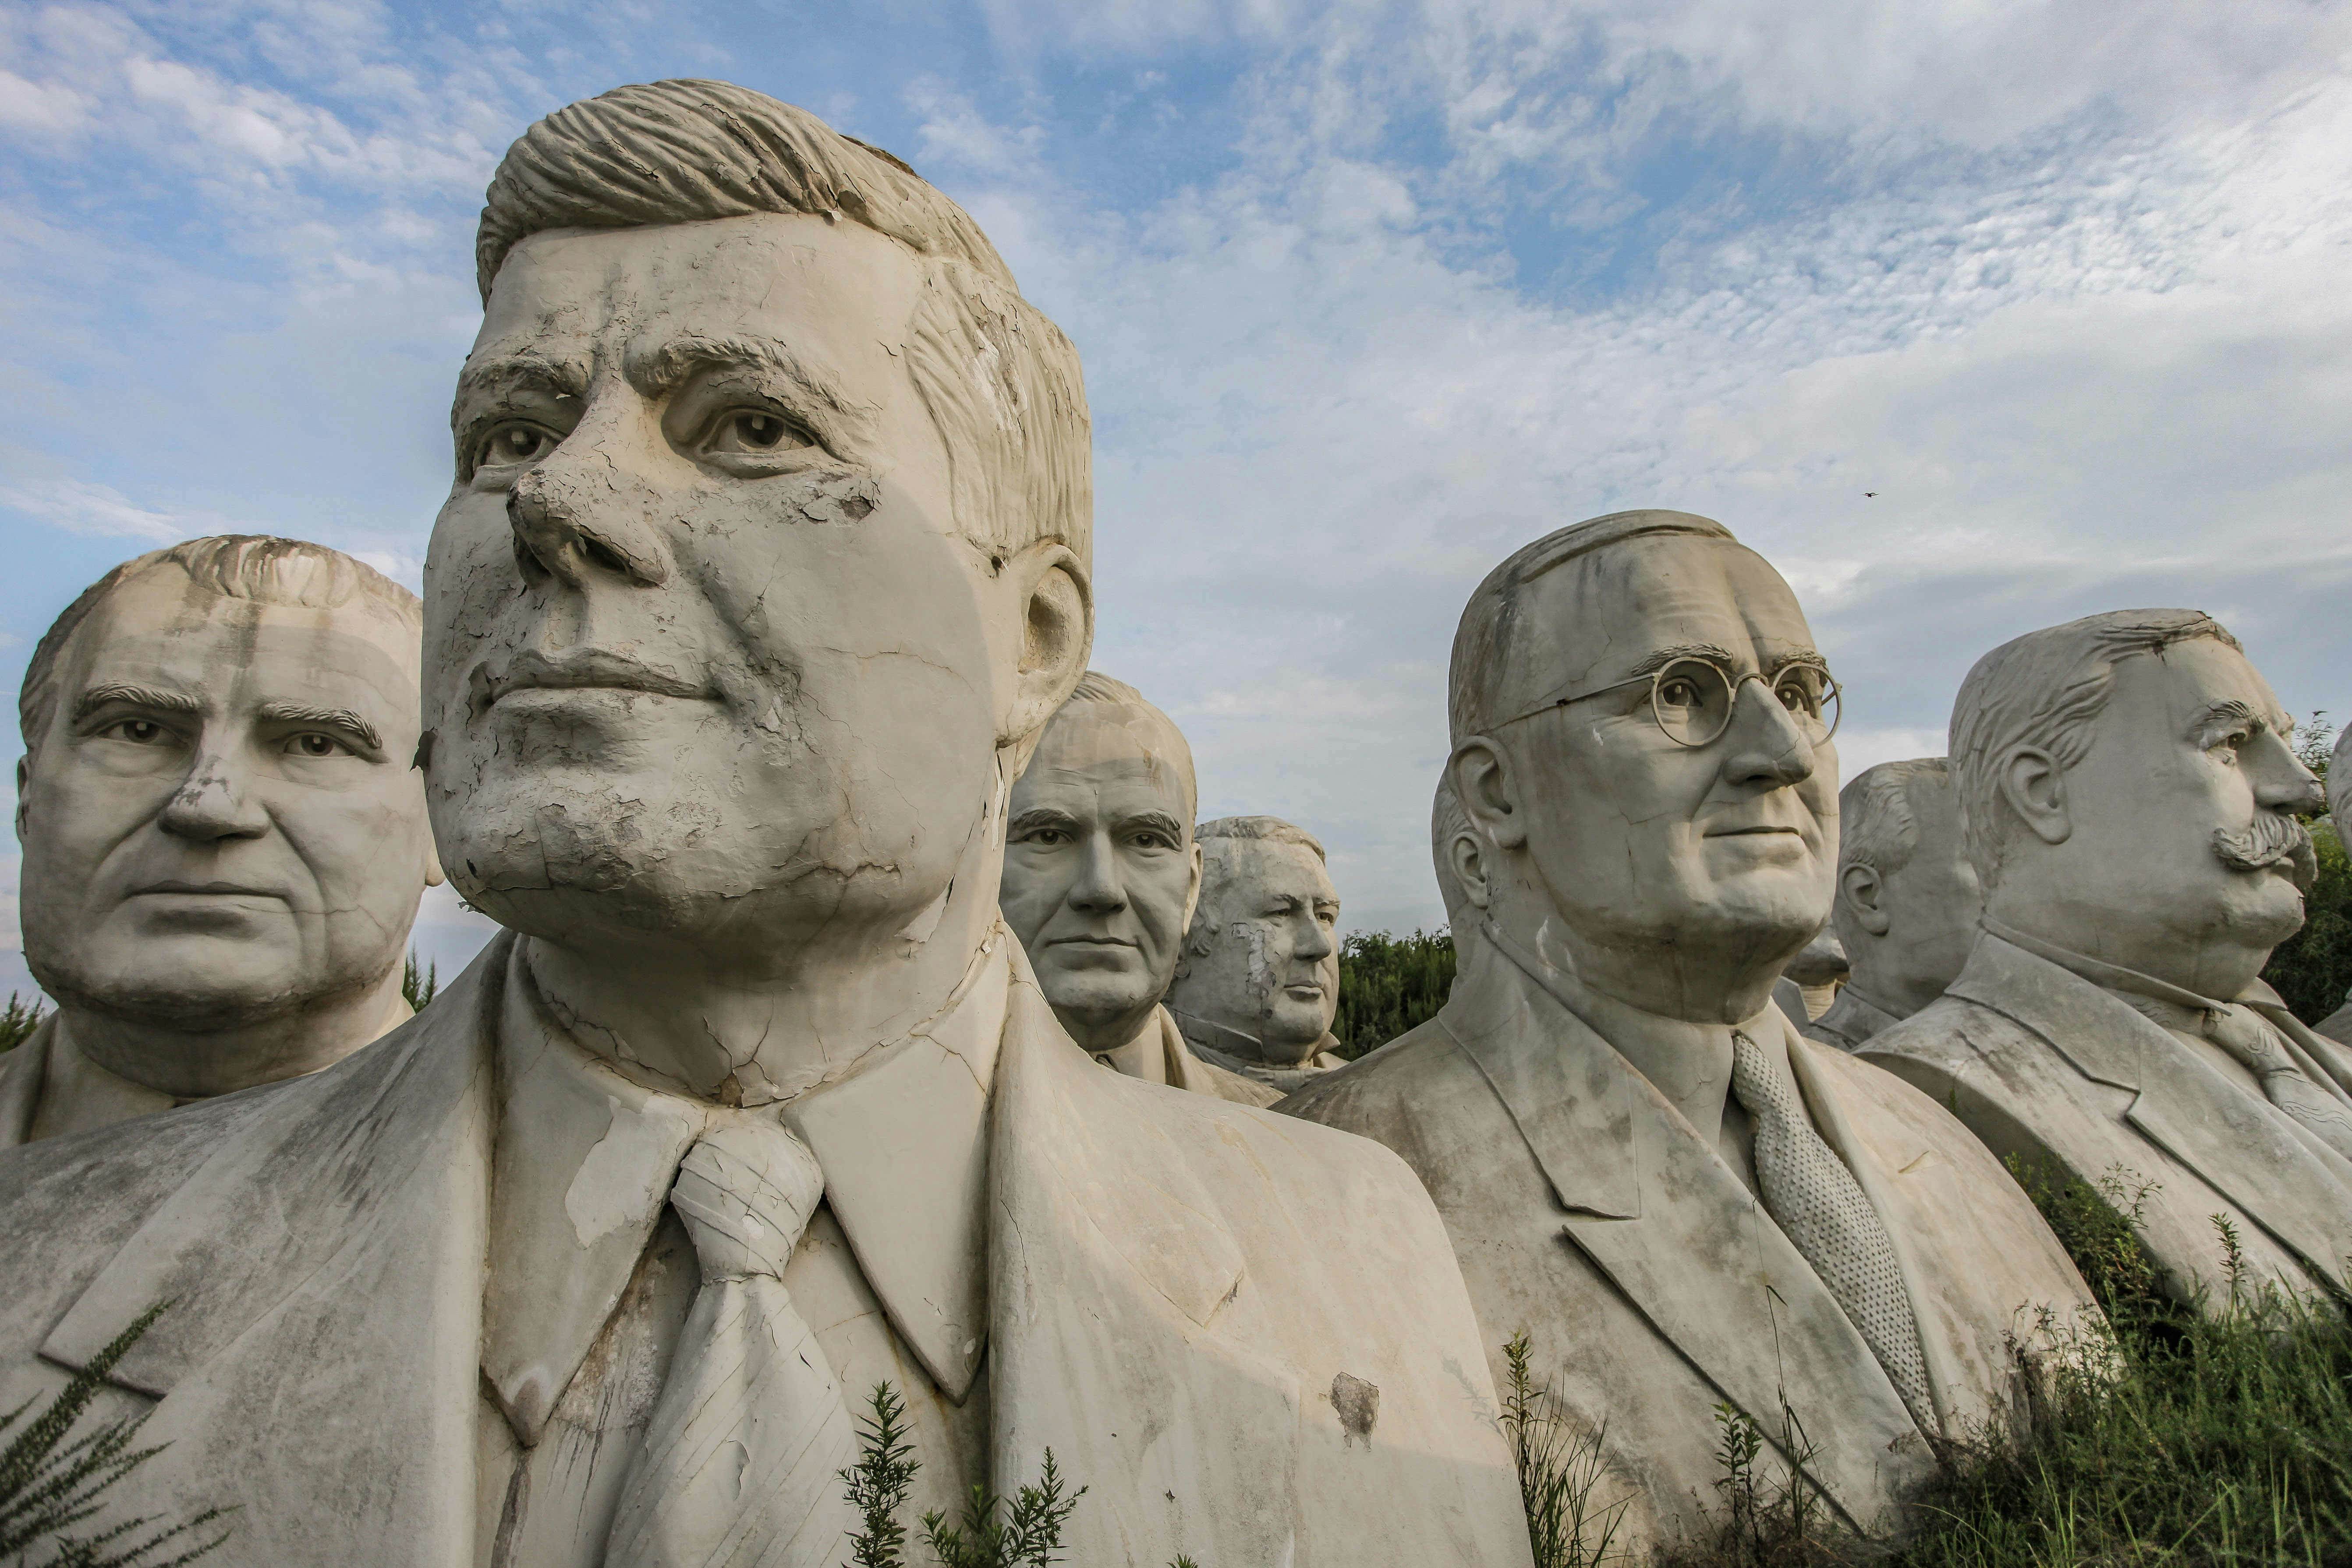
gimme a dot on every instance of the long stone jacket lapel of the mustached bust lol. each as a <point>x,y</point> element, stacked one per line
<point>2231,1139</point>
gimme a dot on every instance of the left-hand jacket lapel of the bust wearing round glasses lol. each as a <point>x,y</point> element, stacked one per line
<point>1673,1228</point>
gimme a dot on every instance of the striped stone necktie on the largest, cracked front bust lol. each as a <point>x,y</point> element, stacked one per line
<point>747,1445</point>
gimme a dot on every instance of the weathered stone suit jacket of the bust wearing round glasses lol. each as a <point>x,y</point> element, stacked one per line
<point>1593,1217</point>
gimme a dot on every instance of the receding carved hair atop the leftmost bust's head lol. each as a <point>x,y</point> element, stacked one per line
<point>260,568</point>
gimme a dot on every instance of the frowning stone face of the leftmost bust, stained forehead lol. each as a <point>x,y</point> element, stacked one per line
<point>222,822</point>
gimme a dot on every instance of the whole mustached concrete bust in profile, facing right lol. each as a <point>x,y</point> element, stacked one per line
<point>2130,803</point>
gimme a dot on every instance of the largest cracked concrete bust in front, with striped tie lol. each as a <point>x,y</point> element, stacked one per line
<point>763,570</point>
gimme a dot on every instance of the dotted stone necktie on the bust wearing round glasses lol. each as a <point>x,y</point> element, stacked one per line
<point>1817,1202</point>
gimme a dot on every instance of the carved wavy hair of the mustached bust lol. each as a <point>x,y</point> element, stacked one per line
<point>2045,692</point>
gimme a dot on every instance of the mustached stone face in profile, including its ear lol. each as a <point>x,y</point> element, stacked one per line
<point>2170,847</point>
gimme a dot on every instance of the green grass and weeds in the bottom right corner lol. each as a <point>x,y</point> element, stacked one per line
<point>2189,1438</point>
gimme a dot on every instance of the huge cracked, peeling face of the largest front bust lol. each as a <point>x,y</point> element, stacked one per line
<point>707,659</point>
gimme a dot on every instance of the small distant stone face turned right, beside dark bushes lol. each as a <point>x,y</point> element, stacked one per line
<point>1274,956</point>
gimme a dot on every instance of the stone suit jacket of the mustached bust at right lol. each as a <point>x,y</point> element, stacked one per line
<point>2047,1066</point>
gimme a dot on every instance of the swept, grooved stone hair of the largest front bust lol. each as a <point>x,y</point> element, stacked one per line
<point>996,375</point>
